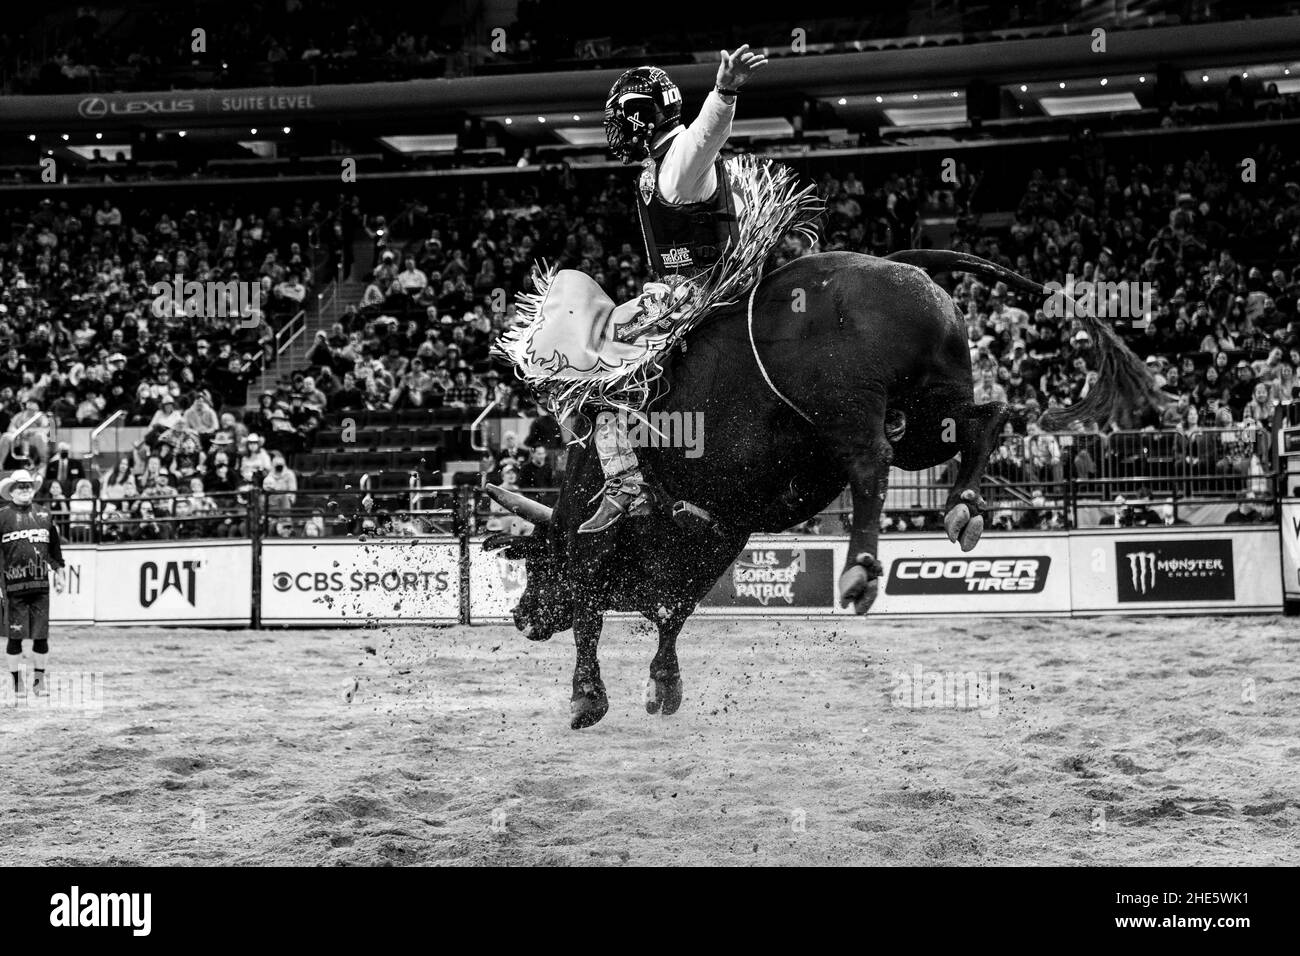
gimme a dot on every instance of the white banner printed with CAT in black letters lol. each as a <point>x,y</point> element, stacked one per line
<point>174,583</point>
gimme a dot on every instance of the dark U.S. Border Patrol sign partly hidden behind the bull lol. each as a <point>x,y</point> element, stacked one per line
<point>777,578</point>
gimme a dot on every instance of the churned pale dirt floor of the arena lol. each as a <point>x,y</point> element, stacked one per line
<point>1110,742</point>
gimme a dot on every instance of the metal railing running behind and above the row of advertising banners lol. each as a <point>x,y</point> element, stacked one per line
<point>1034,483</point>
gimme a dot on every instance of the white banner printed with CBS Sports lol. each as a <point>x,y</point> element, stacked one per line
<point>346,582</point>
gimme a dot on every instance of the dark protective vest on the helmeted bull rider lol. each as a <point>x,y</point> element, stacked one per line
<point>686,239</point>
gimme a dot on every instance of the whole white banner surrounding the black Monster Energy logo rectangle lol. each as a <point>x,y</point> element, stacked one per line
<point>1176,570</point>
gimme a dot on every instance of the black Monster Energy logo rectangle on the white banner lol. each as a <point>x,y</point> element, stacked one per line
<point>1175,570</point>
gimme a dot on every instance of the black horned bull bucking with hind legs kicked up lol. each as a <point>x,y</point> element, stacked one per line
<point>860,345</point>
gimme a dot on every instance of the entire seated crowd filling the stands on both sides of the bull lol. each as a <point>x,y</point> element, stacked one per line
<point>84,335</point>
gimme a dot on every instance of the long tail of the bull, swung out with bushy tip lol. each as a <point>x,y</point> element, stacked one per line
<point>1124,383</point>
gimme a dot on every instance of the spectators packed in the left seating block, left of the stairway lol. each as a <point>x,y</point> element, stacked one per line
<point>92,328</point>
